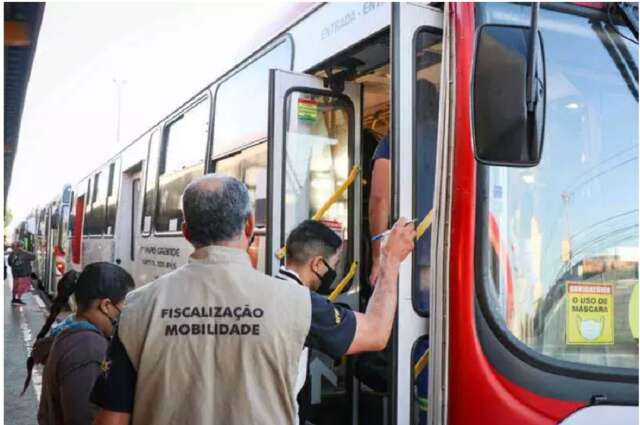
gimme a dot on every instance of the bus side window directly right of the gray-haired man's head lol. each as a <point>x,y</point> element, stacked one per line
<point>250,166</point>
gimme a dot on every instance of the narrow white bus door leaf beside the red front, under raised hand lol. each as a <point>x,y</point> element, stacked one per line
<point>416,32</point>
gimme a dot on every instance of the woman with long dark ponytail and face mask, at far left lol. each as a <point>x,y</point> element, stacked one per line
<point>75,349</point>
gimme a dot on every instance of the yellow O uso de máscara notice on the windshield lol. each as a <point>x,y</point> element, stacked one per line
<point>590,319</point>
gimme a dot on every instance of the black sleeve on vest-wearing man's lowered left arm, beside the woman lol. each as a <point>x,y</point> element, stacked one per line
<point>115,388</point>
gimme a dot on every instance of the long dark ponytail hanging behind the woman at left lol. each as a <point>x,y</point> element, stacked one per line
<point>66,287</point>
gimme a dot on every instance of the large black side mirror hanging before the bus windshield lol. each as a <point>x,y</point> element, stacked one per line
<point>508,125</point>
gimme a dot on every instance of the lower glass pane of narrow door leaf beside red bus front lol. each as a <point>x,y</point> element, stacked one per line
<point>420,381</point>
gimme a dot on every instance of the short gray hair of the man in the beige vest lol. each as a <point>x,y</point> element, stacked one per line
<point>215,208</point>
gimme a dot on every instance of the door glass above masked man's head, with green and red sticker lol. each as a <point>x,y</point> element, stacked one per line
<point>317,161</point>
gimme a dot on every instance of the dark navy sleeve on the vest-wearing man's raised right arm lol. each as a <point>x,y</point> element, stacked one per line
<point>333,327</point>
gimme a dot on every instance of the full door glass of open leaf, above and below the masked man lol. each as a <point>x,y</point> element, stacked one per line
<point>319,129</point>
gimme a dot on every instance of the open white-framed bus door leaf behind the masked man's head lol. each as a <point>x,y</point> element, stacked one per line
<point>313,153</point>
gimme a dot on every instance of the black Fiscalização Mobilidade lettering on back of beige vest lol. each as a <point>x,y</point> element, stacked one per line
<point>238,314</point>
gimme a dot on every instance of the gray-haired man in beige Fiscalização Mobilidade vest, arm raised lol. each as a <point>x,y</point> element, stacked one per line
<point>217,342</point>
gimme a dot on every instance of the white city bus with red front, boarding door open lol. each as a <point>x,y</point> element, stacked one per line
<point>530,172</point>
